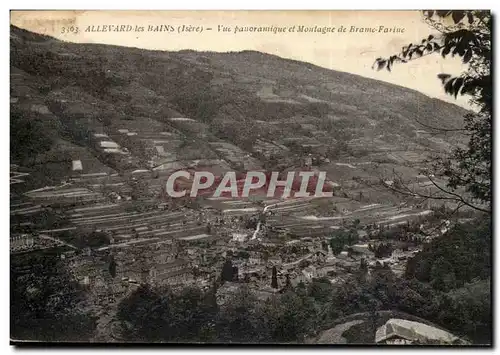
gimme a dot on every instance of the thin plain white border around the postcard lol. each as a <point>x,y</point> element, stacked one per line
<point>187,5</point>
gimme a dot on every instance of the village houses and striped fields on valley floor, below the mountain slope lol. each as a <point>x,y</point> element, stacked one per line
<point>153,238</point>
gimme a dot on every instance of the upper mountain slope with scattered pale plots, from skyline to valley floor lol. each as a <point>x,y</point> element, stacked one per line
<point>244,110</point>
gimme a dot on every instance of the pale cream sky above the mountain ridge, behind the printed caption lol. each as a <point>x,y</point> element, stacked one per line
<point>352,52</point>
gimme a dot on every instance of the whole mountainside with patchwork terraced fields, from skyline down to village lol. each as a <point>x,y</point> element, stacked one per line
<point>107,139</point>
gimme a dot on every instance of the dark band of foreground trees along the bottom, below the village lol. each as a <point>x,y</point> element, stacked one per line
<point>447,284</point>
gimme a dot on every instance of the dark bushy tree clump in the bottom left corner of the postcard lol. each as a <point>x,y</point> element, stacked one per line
<point>45,301</point>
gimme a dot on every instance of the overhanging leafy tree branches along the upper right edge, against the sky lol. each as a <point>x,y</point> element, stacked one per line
<point>466,34</point>
